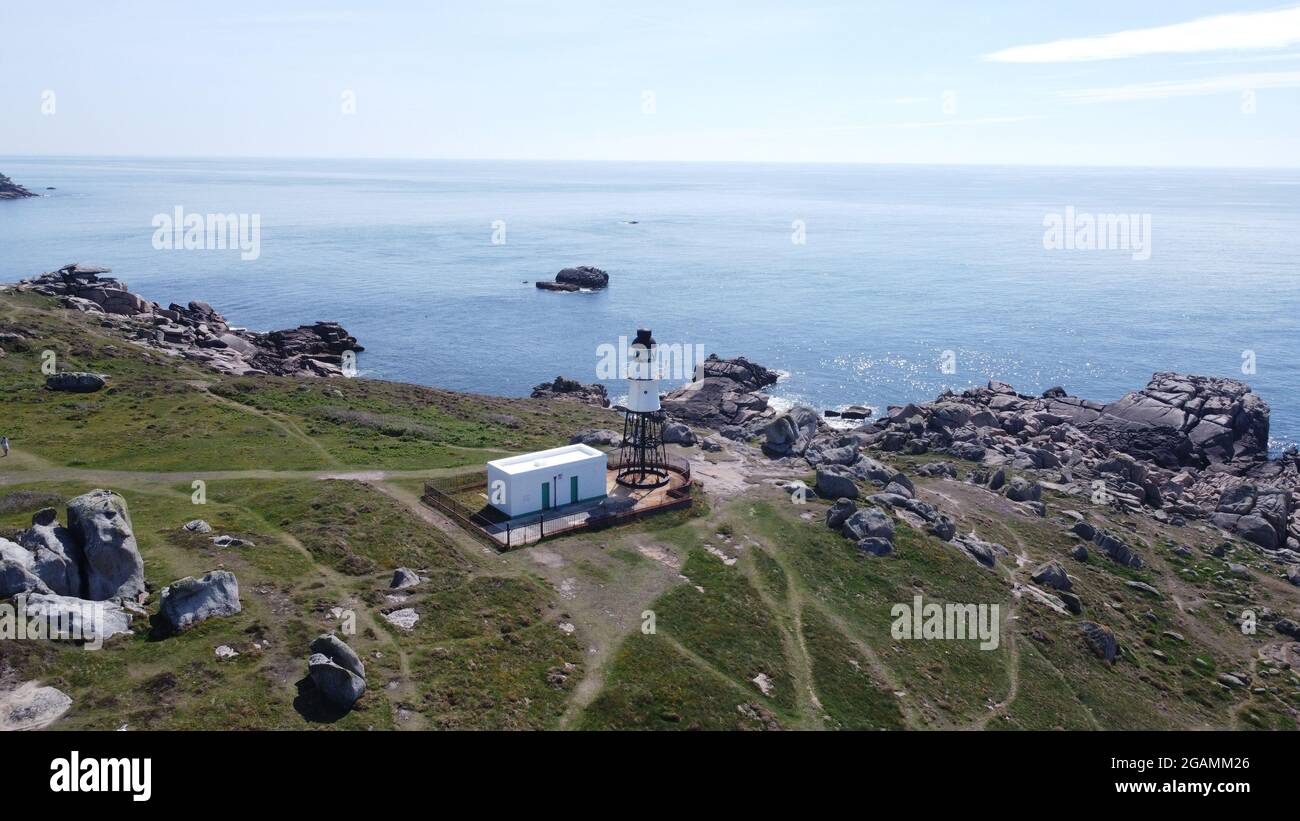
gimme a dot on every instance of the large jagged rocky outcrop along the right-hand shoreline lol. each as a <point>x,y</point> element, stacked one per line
<point>1171,450</point>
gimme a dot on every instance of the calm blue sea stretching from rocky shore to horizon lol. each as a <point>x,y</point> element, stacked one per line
<point>900,266</point>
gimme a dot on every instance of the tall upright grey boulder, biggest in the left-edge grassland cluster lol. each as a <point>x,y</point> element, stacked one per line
<point>102,525</point>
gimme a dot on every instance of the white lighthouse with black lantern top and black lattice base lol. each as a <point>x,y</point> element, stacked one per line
<point>642,458</point>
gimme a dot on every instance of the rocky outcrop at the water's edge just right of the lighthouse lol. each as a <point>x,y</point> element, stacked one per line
<point>727,396</point>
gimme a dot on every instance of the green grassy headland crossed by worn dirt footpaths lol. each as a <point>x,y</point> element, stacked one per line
<point>746,614</point>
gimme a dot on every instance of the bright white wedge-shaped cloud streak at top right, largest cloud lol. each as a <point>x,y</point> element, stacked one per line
<point>1249,31</point>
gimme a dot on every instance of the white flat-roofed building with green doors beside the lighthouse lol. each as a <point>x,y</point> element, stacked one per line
<point>547,480</point>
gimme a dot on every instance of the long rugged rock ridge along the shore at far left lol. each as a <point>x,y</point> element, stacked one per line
<point>196,331</point>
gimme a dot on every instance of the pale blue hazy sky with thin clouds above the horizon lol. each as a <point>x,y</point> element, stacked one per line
<point>1037,82</point>
